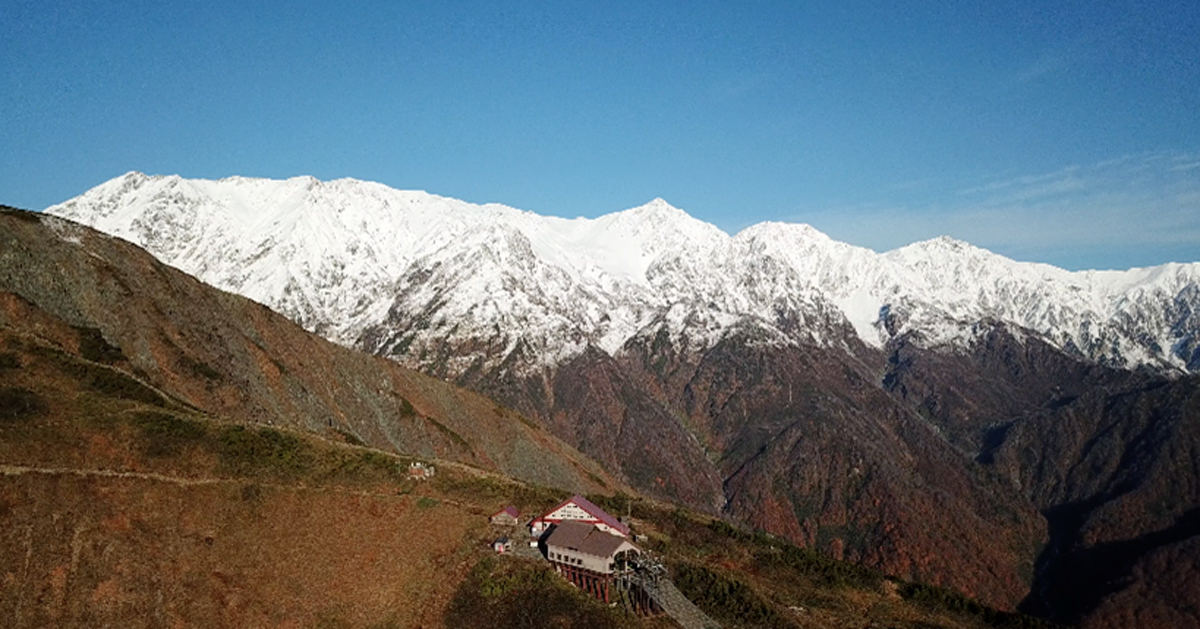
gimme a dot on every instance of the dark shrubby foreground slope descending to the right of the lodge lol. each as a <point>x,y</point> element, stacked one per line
<point>747,579</point>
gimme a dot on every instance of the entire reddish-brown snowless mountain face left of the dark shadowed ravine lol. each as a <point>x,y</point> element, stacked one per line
<point>799,441</point>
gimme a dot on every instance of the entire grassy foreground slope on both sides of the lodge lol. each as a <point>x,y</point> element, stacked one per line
<point>124,507</point>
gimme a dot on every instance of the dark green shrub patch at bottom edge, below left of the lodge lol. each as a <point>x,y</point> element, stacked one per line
<point>525,595</point>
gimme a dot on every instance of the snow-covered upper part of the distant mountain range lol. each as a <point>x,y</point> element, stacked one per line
<point>406,273</point>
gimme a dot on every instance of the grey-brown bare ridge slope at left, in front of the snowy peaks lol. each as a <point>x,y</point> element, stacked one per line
<point>110,302</point>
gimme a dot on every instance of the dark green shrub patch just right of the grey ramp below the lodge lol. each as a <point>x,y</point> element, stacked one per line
<point>725,597</point>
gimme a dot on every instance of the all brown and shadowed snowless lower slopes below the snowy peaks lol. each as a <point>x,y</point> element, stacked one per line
<point>1003,470</point>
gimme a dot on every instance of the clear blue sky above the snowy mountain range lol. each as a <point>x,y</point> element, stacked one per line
<point>1063,133</point>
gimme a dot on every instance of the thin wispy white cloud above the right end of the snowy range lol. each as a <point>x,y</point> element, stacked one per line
<point>1135,207</point>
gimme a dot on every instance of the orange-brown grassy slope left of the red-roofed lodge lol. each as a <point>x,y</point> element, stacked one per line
<point>122,507</point>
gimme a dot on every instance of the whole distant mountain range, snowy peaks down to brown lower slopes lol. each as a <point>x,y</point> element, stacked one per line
<point>937,411</point>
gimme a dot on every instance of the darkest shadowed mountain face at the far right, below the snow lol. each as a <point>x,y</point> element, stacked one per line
<point>1111,458</point>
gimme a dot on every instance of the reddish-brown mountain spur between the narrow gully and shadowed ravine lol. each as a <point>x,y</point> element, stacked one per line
<point>814,450</point>
